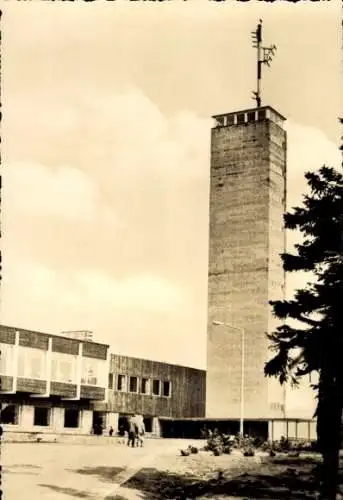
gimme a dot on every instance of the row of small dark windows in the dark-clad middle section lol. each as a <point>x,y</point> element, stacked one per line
<point>131,383</point>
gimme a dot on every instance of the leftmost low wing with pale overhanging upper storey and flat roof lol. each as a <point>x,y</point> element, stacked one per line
<point>49,382</point>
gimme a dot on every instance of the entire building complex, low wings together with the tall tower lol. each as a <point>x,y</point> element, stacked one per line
<point>69,384</point>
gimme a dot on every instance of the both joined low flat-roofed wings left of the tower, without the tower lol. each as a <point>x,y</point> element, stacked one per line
<point>61,385</point>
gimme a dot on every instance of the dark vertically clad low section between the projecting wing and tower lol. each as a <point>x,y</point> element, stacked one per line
<point>155,390</point>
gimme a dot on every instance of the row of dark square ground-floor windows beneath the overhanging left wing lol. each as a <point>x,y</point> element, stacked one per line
<point>41,416</point>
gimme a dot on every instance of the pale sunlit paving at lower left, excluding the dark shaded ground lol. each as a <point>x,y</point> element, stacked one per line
<point>67,471</point>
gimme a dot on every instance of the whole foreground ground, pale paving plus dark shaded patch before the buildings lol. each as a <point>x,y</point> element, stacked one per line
<point>106,470</point>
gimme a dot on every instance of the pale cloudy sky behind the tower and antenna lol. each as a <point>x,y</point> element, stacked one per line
<point>106,136</point>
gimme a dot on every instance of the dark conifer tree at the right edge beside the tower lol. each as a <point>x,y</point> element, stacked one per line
<point>311,338</point>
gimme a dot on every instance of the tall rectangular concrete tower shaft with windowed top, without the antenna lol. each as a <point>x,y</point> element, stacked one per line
<point>247,203</point>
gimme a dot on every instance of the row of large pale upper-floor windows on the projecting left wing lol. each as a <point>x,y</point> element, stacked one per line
<point>32,363</point>
